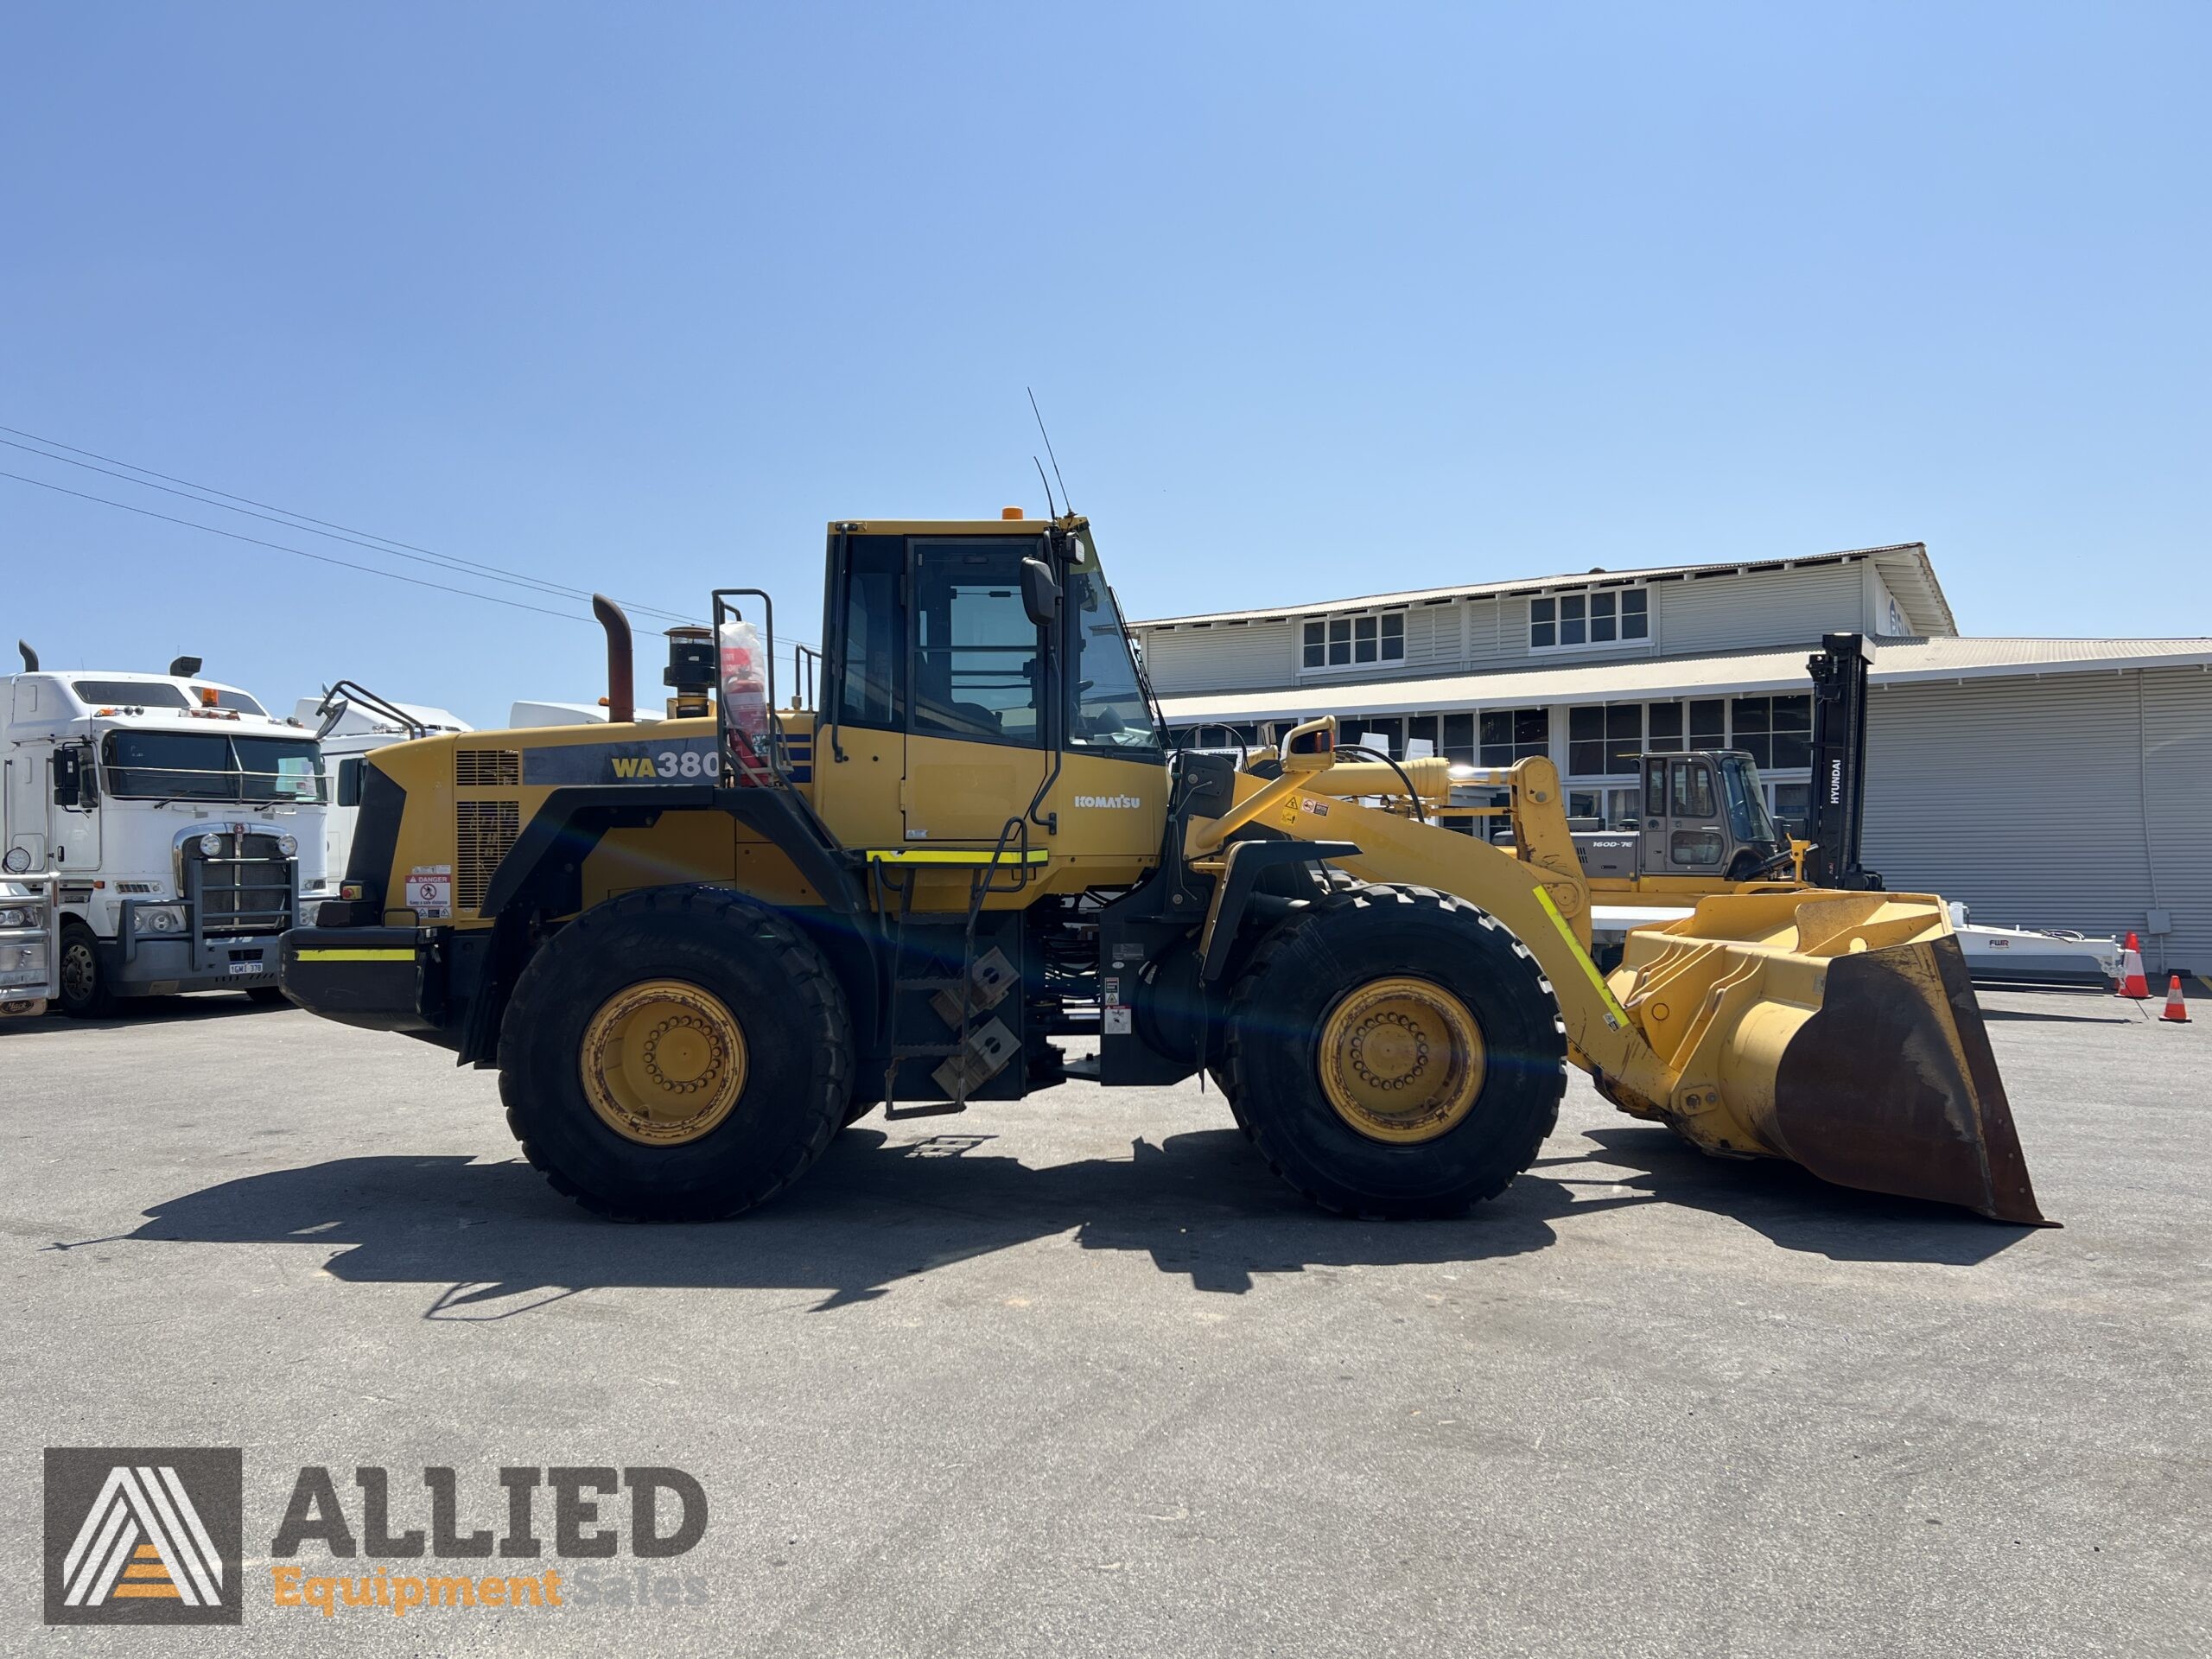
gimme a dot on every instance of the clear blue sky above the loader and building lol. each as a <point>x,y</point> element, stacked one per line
<point>1317,302</point>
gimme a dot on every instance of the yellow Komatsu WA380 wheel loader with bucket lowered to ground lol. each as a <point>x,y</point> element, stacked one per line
<point>696,950</point>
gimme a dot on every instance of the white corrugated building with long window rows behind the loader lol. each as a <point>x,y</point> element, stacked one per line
<point>2043,782</point>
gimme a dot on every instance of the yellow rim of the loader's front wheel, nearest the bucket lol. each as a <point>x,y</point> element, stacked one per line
<point>1401,1061</point>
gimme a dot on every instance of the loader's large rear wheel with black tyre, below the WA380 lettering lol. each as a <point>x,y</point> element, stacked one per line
<point>678,1054</point>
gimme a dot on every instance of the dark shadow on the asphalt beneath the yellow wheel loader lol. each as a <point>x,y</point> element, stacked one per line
<point>873,1213</point>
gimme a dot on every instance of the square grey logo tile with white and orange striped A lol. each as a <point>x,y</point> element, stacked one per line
<point>145,1534</point>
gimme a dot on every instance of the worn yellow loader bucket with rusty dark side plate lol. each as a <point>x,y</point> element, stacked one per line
<point>1837,1032</point>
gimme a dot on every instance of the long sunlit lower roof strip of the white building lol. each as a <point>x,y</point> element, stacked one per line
<point>1897,662</point>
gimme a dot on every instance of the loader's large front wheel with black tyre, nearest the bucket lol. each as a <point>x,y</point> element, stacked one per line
<point>1395,1052</point>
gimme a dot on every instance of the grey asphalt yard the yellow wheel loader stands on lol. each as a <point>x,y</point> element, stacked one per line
<point>1081,1377</point>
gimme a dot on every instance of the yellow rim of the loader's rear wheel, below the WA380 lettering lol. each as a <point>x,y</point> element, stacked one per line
<point>665,1063</point>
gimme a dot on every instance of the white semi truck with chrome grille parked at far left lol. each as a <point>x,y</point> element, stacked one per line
<point>180,820</point>
